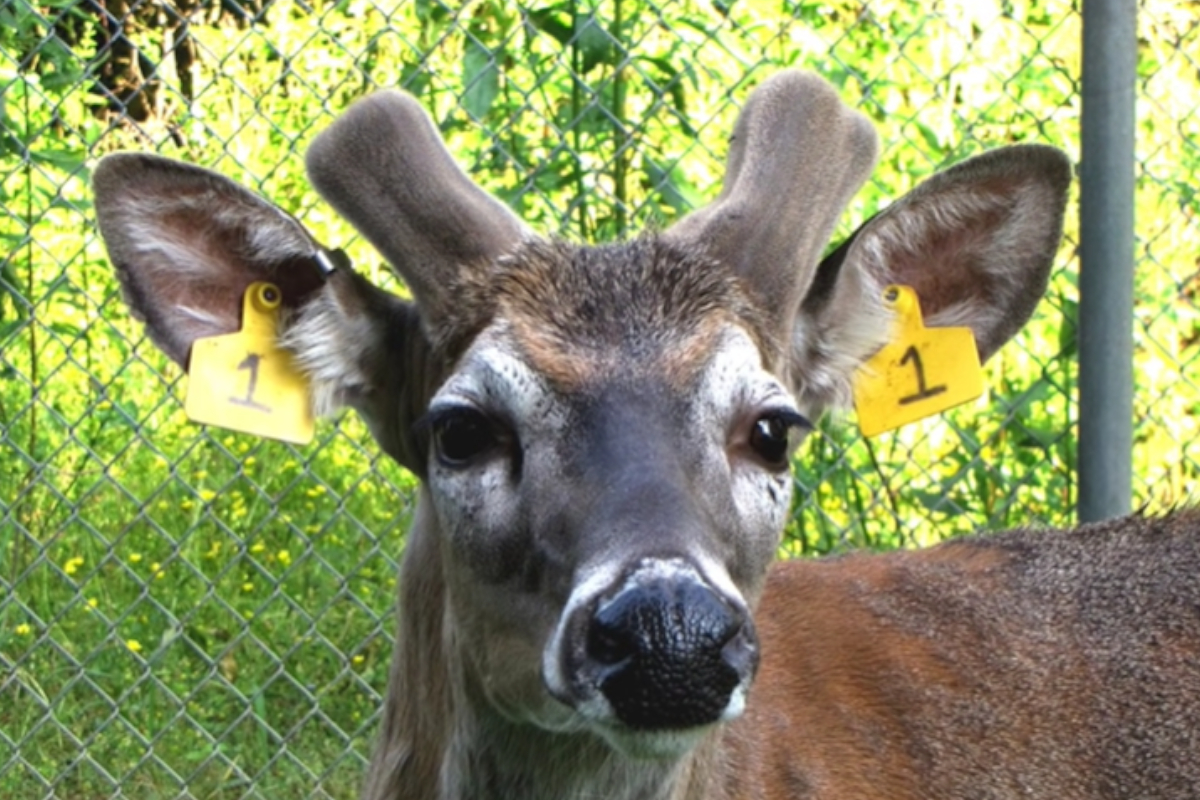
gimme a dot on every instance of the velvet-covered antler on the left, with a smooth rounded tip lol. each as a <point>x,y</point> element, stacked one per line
<point>383,166</point>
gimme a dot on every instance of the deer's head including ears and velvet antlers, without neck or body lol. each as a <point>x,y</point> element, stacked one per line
<point>603,434</point>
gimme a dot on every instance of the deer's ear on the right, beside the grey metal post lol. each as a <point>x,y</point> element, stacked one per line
<point>976,243</point>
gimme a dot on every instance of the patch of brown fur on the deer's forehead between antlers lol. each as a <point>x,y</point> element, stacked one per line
<point>579,312</point>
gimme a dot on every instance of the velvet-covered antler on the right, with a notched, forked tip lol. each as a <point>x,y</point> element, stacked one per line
<point>797,157</point>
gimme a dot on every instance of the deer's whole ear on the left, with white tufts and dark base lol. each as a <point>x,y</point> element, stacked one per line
<point>187,245</point>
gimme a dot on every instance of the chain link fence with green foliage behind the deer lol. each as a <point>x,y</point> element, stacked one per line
<point>190,613</point>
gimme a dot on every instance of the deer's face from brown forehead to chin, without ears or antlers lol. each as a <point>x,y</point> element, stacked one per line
<point>609,468</point>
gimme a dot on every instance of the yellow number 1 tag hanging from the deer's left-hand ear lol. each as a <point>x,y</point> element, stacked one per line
<point>244,382</point>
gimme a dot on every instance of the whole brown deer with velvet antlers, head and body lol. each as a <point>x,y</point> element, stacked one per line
<point>590,603</point>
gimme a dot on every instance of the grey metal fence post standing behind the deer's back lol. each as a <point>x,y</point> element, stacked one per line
<point>1107,216</point>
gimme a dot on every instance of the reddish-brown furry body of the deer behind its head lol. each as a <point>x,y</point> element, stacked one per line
<point>1034,664</point>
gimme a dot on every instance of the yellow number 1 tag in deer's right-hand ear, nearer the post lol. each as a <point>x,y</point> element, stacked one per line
<point>922,371</point>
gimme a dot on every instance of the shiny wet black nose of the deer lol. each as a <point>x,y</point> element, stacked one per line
<point>669,654</point>
